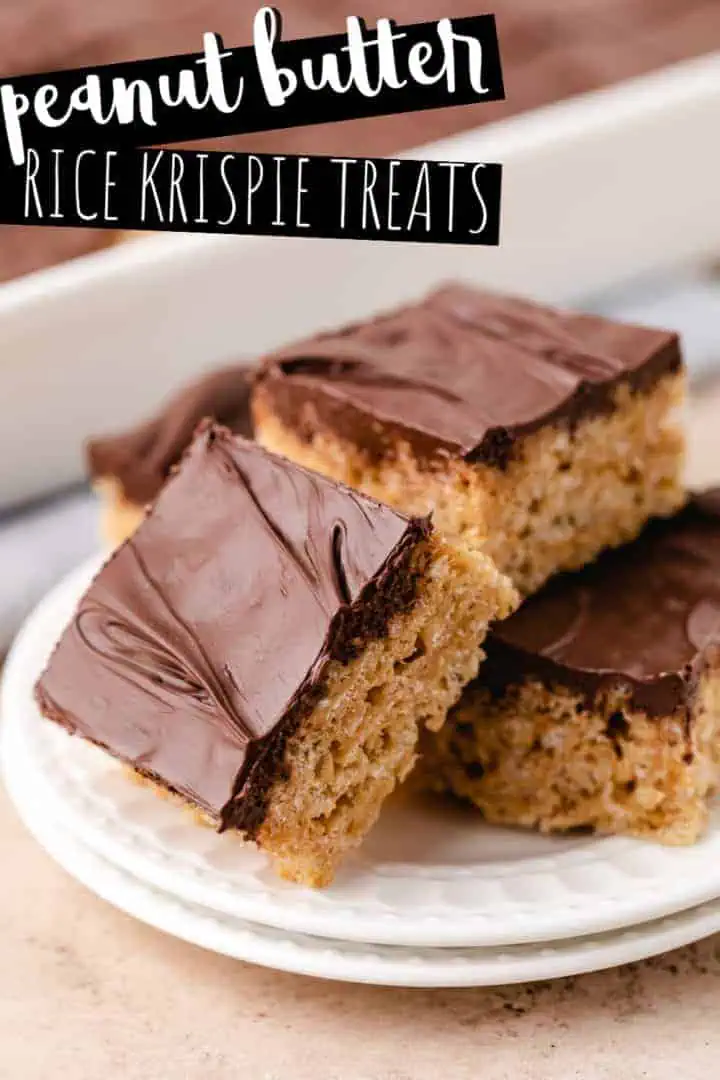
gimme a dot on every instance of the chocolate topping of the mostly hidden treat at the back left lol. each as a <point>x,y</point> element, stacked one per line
<point>142,460</point>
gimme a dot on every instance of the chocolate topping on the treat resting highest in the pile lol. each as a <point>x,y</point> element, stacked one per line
<point>463,373</point>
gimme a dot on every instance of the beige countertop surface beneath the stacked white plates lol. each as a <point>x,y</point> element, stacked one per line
<point>87,993</point>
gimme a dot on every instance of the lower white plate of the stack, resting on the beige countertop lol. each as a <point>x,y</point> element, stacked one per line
<point>382,965</point>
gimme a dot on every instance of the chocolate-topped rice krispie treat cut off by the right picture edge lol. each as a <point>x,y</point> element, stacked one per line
<point>599,705</point>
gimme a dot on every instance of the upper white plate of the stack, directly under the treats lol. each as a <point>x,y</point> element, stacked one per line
<point>427,876</point>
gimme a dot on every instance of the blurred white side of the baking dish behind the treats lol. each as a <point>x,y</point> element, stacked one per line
<point>599,191</point>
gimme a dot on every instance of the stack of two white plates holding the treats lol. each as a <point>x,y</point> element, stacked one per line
<point>436,897</point>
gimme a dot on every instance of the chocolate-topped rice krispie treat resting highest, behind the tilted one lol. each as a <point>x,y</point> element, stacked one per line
<point>541,437</point>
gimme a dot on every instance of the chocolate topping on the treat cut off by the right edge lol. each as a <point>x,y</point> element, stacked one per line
<point>643,617</point>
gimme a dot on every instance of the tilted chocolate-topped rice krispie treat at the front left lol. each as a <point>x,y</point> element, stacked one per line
<point>268,644</point>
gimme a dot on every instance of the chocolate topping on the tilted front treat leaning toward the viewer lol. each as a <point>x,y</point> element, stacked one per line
<point>207,638</point>
